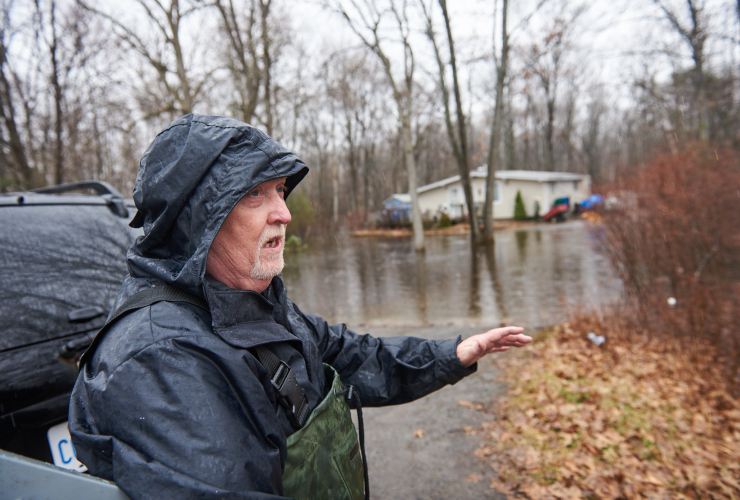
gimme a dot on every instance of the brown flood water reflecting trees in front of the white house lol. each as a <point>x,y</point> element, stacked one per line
<point>532,277</point>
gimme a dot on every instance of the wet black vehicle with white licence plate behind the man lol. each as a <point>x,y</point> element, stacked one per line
<point>63,260</point>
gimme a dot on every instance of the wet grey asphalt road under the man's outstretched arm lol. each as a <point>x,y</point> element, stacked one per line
<point>435,465</point>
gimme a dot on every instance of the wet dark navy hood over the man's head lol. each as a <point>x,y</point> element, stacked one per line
<point>189,179</point>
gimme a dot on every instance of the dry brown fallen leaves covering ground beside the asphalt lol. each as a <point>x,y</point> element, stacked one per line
<point>633,418</point>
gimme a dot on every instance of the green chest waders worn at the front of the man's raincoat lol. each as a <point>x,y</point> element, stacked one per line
<point>324,459</point>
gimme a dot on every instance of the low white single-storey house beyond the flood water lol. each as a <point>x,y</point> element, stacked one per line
<point>537,187</point>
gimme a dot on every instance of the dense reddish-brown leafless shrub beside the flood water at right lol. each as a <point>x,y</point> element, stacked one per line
<point>673,239</point>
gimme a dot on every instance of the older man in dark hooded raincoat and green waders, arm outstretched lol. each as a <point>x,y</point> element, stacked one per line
<point>207,382</point>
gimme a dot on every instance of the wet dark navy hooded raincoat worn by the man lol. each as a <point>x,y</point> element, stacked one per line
<point>171,403</point>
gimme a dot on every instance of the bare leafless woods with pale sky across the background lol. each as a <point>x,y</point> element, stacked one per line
<point>377,96</point>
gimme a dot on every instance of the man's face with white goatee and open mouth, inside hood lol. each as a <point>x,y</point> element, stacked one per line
<point>247,252</point>
